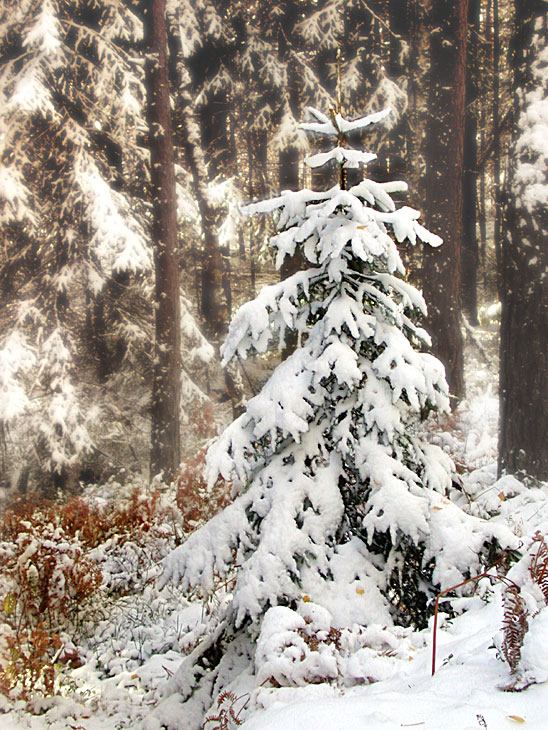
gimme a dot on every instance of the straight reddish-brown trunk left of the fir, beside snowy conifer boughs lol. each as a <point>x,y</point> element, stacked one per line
<point>166,386</point>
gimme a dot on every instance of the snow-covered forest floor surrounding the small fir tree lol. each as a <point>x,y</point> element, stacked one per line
<point>139,642</point>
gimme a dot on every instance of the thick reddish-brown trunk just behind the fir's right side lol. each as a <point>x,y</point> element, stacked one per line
<point>443,185</point>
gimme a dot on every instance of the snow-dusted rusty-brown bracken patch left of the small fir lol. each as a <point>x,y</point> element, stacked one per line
<point>54,558</point>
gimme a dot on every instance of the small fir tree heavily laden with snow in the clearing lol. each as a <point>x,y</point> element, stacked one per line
<point>338,501</point>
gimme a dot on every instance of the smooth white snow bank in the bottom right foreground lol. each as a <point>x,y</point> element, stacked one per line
<point>462,695</point>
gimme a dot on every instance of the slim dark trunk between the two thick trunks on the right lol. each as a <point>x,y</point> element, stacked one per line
<point>470,251</point>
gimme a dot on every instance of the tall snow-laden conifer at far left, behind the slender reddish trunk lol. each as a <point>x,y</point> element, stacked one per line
<point>76,263</point>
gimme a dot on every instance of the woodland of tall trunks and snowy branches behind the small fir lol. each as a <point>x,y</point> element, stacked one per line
<point>132,132</point>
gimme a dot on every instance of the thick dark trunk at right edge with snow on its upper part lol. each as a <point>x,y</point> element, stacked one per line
<point>523,444</point>
